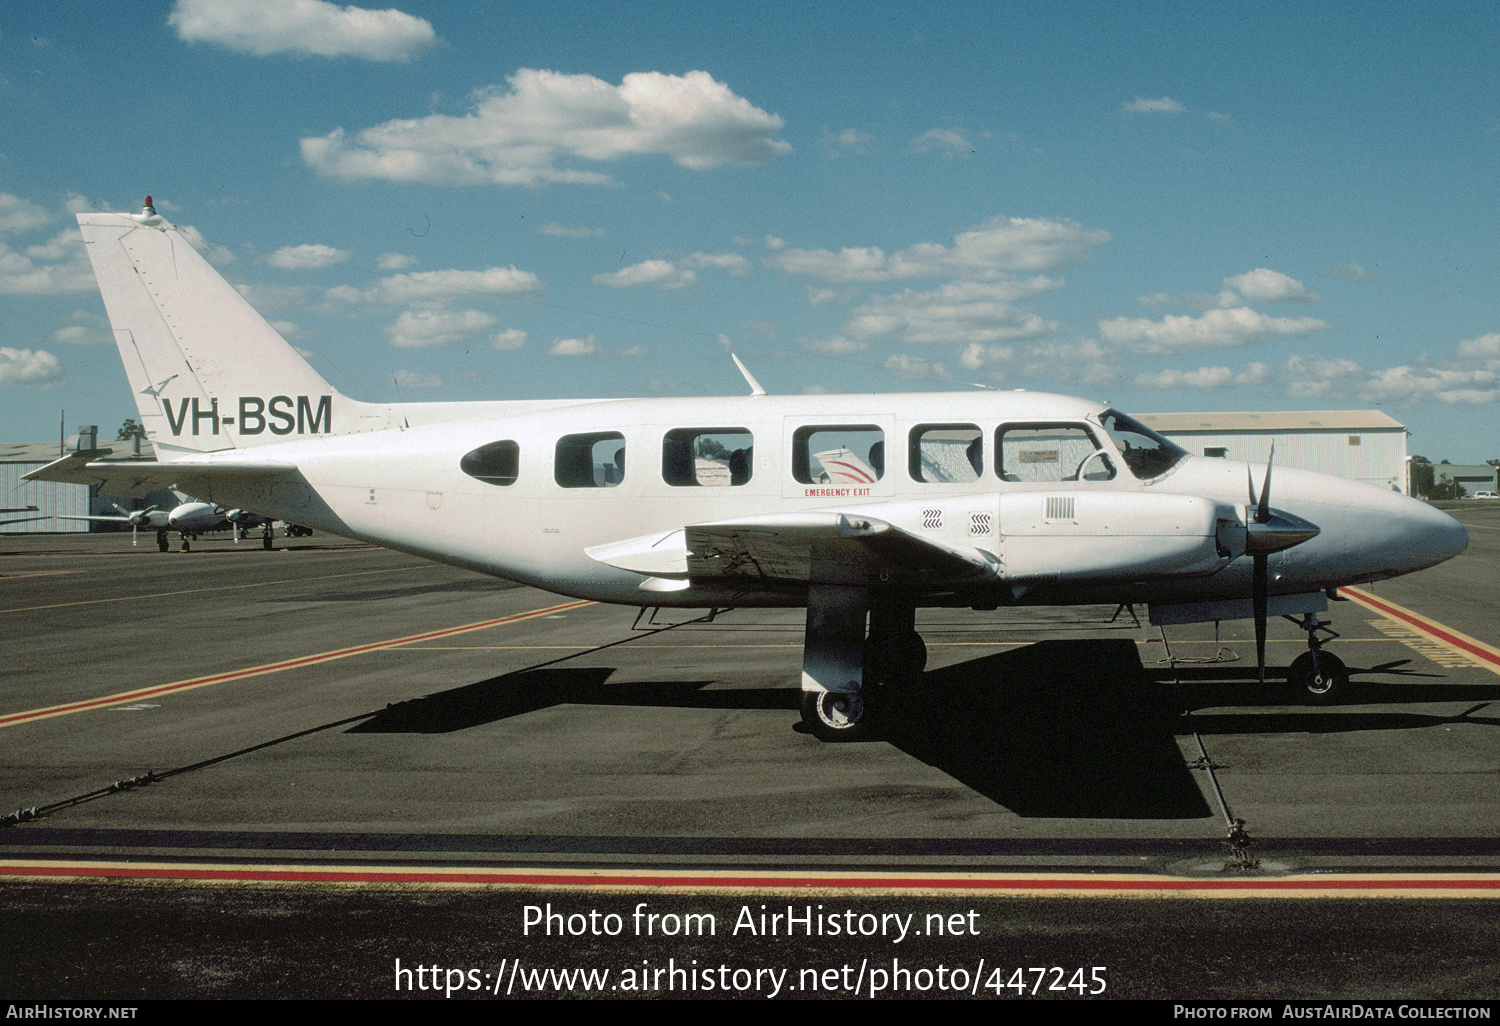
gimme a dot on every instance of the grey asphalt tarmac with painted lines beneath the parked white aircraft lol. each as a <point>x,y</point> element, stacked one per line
<point>344,757</point>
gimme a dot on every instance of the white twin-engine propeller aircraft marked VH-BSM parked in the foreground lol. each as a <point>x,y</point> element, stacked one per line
<point>859,508</point>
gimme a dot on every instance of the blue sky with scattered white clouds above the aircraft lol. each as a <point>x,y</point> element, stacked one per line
<point>1169,206</point>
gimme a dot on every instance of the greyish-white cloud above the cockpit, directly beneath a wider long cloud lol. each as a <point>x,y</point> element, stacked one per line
<point>961,313</point>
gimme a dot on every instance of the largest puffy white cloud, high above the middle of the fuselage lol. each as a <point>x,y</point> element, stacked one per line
<point>523,134</point>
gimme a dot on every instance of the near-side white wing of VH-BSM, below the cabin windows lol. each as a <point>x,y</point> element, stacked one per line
<point>818,547</point>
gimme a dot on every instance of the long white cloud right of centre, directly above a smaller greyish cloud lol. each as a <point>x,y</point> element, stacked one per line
<point>983,253</point>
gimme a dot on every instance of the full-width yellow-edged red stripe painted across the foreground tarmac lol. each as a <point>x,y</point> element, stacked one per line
<point>742,881</point>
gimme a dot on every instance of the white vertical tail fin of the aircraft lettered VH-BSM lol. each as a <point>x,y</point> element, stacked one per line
<point>208,371</point>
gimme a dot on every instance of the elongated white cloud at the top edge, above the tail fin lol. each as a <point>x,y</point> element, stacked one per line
<point>304,29</point>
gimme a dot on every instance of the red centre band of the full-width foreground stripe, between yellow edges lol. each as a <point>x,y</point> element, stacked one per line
<point>1321,884</point>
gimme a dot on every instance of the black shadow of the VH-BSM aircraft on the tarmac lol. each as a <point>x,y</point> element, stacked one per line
<point>1054,730</point>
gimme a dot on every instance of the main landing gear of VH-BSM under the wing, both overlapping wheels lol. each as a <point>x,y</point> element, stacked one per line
<point>847,676</point>
